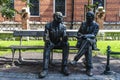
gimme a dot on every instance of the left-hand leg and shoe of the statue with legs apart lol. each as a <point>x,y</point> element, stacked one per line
<point>46,59</point>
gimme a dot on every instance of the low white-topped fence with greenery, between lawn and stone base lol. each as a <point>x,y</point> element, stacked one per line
<point>102,35</point>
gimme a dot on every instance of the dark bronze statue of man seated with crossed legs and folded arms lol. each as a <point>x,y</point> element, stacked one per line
<point>87,41</point>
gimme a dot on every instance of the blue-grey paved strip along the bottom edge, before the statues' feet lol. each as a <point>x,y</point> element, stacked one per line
<point>29,76</point>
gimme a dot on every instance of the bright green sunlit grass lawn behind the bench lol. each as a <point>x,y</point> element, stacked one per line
<point>102,45</point>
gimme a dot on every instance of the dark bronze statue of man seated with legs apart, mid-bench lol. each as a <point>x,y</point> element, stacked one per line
<point>55,37</point>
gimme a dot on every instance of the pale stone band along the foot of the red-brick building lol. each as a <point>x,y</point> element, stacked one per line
<point>10,26</point>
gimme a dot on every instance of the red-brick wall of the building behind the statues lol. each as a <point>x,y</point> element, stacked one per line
<point>46,11</point>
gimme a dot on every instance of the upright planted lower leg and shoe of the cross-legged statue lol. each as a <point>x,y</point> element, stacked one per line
<point>88,57</point>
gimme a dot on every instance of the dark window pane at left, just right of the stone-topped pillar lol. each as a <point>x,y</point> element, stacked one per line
<point>34,10</point>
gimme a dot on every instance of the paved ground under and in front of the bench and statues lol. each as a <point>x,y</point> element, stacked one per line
<point>30,72</point>
